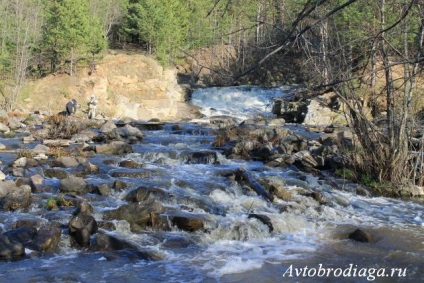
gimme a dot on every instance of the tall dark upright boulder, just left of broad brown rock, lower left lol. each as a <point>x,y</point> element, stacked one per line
<point>81,227</point>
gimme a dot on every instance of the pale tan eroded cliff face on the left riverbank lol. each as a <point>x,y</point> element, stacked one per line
<point>134,86</point>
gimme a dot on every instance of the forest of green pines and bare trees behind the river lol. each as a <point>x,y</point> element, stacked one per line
<point>369,52</point>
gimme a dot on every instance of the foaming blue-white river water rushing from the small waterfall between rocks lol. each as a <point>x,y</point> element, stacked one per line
<point>234,247</point>
